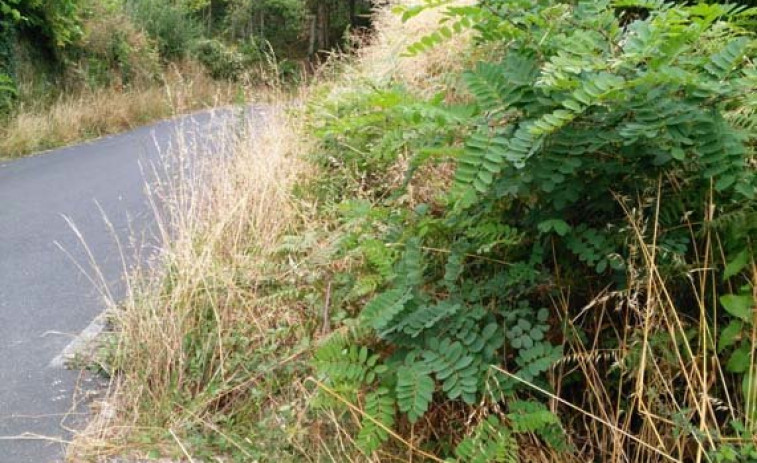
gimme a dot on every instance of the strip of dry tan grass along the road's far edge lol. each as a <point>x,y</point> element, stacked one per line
<point>94,113</point>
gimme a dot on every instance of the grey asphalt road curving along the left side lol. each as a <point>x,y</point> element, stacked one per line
<point>45,301</point>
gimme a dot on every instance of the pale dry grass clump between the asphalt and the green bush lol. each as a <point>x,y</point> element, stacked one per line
<point>194,330</point>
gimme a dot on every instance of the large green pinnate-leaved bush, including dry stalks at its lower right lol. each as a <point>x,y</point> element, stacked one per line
<point>603,155</point>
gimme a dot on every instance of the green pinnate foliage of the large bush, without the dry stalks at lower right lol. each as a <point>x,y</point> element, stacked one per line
<point>590,113</point>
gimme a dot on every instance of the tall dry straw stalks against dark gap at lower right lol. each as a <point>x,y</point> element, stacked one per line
<point>663,393</point>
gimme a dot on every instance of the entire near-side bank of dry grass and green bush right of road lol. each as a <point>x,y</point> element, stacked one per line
<point>541,252</point>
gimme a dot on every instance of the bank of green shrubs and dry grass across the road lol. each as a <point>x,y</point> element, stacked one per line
<point>54,54</point>
